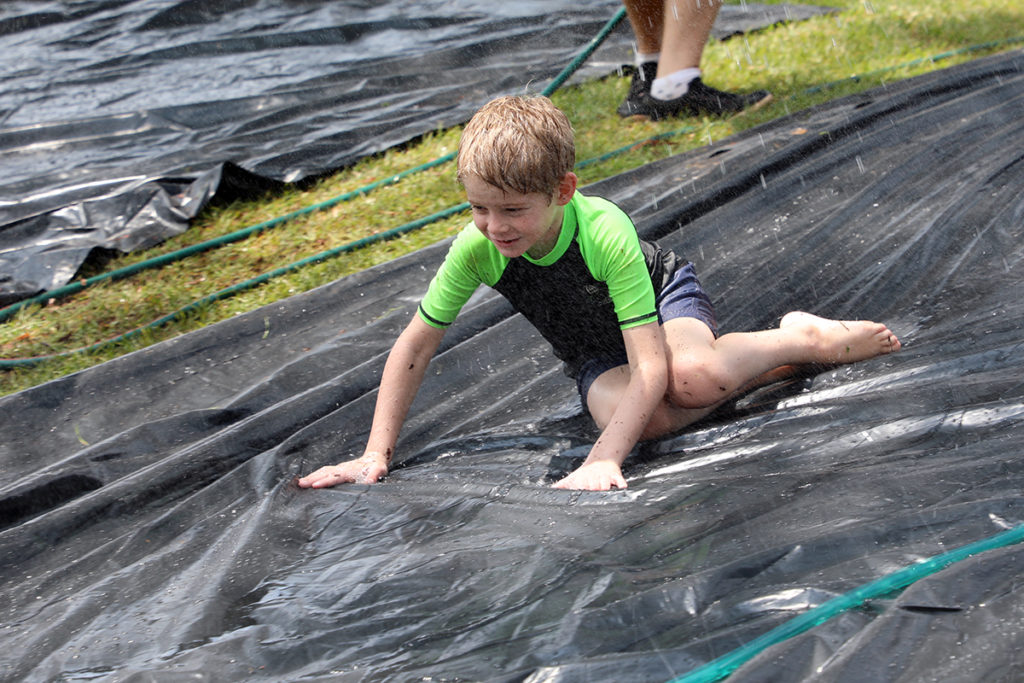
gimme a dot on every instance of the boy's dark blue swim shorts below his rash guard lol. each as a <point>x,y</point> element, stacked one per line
<point>682,297</point>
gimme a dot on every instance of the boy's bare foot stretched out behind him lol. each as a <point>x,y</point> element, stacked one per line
<point>843,341</point>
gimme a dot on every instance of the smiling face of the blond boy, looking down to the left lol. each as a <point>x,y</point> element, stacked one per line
<point>517,224</point>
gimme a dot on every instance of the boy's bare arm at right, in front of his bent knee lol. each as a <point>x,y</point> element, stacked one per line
<point>649,381</point>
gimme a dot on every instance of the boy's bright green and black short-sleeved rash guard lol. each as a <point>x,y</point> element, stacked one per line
<point>600,280</point>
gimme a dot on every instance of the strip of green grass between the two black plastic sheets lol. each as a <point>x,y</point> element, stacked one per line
<point>867,45</point>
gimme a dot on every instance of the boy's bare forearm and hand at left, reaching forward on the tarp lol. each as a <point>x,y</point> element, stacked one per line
<point>403,375</point>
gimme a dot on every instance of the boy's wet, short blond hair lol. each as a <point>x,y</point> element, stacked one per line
<point>524,145</point>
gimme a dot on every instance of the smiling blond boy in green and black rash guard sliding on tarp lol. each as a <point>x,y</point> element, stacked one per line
<point>629,320</point>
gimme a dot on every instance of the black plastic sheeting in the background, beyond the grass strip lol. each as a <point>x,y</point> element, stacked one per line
<point>121,119</point>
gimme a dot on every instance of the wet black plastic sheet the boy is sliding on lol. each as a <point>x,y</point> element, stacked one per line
<point>154,531</point>
